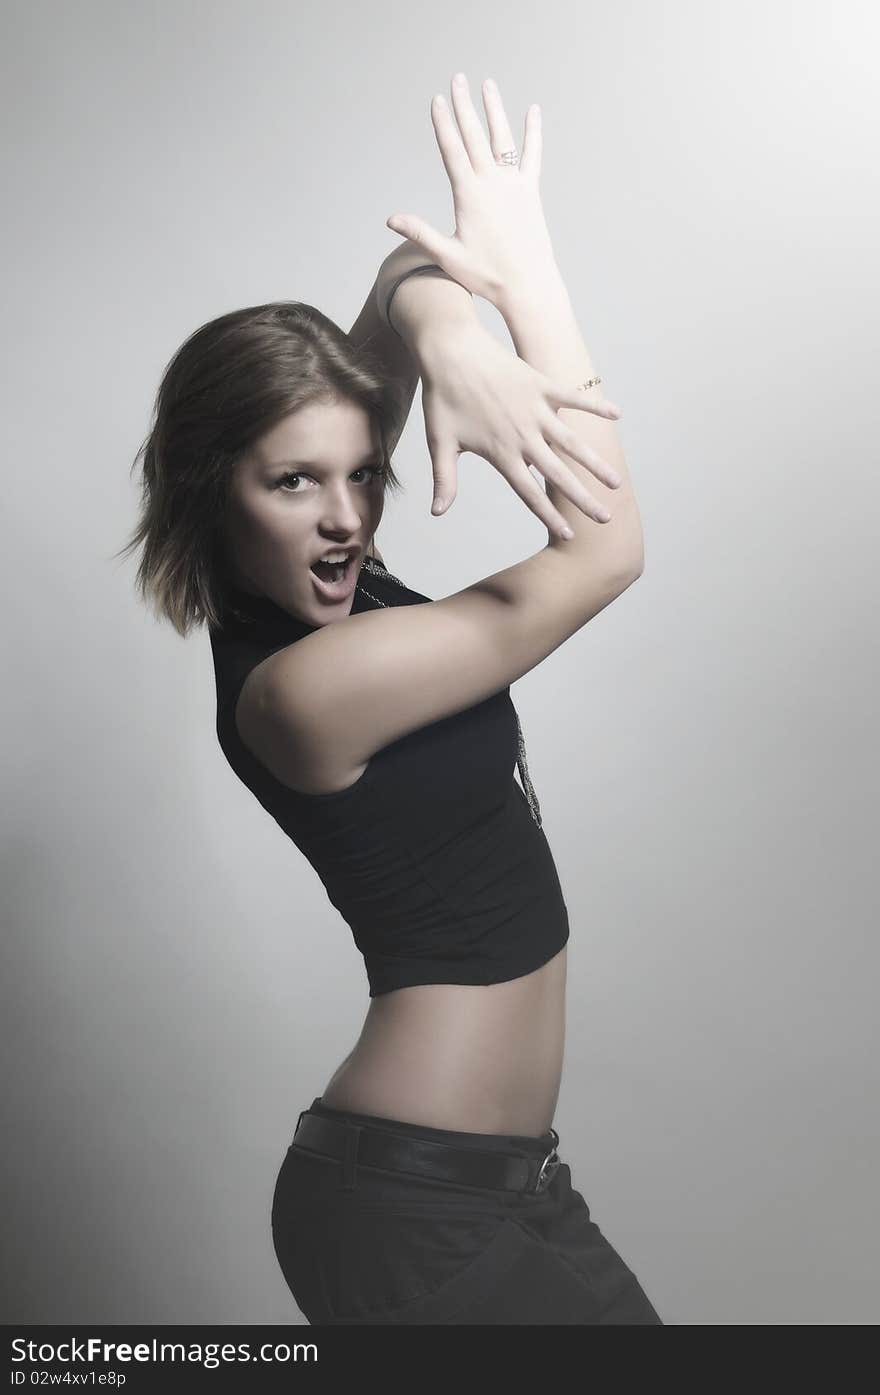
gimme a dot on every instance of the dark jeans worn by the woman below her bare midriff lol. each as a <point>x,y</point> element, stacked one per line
<point>372,1245</point>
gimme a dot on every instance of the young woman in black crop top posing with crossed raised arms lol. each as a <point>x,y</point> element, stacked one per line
<point>425,1182</point>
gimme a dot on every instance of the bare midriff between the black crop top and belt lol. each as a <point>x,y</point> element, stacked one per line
<point>480,1060</point>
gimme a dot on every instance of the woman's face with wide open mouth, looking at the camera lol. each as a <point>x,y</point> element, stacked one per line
<point>310,488</point>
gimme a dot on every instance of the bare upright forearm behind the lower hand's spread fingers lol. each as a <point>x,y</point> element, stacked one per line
<point>546,334</point>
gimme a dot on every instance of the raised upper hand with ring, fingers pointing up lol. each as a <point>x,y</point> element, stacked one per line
<point>500,235</point>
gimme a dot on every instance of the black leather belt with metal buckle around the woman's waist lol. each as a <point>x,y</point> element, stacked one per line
<point>402,1153</point>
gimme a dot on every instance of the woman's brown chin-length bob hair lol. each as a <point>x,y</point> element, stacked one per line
<point>229,383</point>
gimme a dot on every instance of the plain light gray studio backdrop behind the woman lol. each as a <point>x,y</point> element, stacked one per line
<point>178,987</point>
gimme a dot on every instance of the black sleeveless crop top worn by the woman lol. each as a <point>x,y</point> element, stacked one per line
<point>433,857</point>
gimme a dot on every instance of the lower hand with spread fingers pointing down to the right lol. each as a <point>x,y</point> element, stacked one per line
<point>479,397</point>
